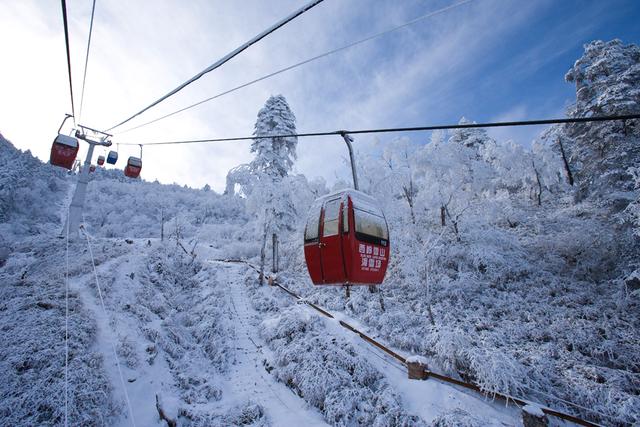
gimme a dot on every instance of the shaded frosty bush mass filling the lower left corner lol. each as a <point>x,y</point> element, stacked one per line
<point>32,357</point>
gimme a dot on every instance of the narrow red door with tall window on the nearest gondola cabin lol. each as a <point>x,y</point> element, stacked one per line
<point>331,244</point>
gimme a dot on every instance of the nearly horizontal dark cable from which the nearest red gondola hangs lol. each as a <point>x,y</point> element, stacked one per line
<point>405,129</point>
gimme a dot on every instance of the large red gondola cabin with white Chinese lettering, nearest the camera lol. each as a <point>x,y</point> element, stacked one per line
<point>346,241</point>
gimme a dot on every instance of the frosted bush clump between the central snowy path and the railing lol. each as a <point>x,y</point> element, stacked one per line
<point>328,373</point>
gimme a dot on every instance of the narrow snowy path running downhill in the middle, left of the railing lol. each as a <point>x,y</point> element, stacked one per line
<point>248,379</point>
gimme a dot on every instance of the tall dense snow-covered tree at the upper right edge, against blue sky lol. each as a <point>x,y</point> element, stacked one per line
<point>607,79</point>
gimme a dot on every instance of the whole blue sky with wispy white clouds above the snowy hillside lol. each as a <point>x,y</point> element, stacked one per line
<point>485,60</point>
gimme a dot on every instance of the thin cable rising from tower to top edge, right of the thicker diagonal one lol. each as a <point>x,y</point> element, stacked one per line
<point>301,63</point>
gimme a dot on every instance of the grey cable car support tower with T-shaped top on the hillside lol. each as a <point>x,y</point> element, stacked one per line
<point>93,137</point>
